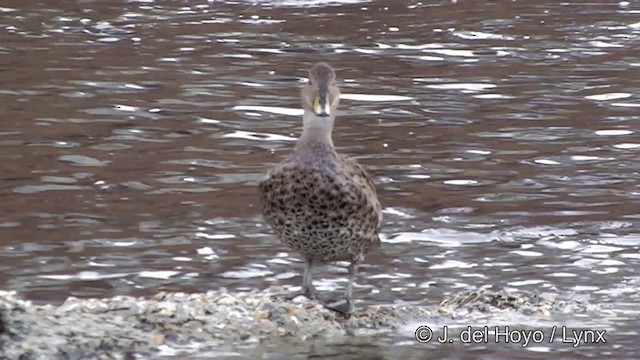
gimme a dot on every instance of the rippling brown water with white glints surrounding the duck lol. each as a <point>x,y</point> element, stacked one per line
<point>502,137</point>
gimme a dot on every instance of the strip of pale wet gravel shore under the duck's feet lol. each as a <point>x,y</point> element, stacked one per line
<point>125,327</point>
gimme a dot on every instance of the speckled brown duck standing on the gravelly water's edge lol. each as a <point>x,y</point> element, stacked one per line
<point>319,203</point>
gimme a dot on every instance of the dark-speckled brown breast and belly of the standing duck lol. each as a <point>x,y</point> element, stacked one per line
<point>325,208</point>
